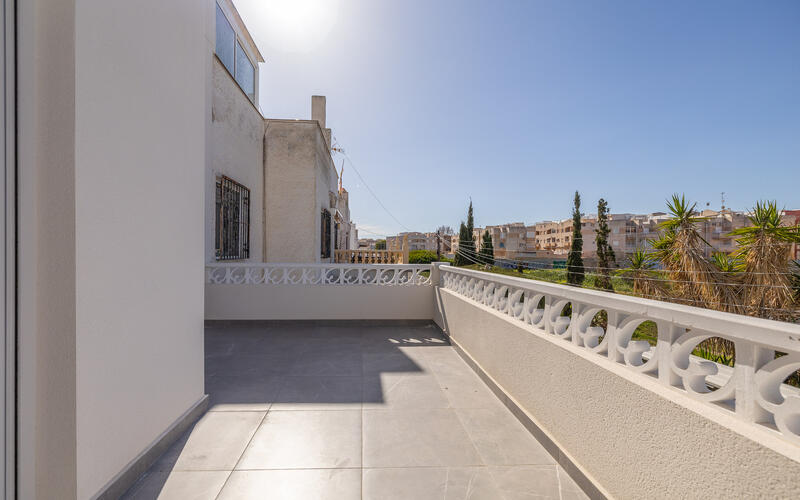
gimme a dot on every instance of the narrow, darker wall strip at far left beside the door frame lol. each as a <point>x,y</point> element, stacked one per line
<point>46,243</point>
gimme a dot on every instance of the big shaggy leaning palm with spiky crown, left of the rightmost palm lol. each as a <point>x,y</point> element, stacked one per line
<point>681,250</point>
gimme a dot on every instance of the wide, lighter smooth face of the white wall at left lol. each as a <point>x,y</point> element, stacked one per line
<point>140,112</point>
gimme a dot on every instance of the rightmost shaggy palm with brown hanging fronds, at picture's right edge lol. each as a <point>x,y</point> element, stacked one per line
<point>763,255</point>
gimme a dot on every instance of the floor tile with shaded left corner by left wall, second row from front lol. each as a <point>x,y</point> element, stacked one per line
<point>215,443</point>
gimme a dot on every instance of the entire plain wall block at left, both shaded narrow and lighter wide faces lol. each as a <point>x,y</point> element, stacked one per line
<point>111,305</point>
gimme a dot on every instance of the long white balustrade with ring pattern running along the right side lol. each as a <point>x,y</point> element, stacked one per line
<point>753,390</point>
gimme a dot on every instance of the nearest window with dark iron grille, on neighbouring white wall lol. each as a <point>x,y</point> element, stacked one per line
<point>232,220</point>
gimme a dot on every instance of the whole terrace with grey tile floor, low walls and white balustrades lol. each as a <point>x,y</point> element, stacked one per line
<point>420,381</point>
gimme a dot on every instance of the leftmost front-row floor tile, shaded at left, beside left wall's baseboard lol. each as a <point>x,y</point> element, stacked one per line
<point>178,485</point>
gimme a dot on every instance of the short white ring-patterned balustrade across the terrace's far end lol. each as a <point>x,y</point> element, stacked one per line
<point>318,274</point>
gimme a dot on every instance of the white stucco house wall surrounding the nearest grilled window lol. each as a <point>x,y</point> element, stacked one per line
<point>236,150</point>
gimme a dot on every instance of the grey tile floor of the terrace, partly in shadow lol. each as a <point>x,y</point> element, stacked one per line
<point>343,412</point>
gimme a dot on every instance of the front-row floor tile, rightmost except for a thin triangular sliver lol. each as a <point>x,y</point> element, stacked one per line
<point>527,482</point>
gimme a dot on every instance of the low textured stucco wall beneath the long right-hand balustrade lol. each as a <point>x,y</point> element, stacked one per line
<point>635,440</point>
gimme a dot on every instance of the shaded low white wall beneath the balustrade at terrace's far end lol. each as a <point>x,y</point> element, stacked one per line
<point>312,302</point>
